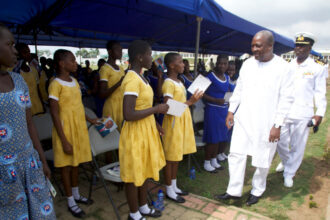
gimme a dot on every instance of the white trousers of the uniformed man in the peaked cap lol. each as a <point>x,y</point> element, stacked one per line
<point>295,134</point>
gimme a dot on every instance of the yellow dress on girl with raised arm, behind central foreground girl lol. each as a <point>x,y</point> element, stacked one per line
<point>113,105</point>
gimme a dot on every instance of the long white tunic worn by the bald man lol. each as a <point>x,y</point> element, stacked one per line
<point>262,97</point>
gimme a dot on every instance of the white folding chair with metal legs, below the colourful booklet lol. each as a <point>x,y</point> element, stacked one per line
<point>100,145</point>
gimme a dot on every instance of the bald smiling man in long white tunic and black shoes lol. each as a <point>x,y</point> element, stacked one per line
<point>262,98</point>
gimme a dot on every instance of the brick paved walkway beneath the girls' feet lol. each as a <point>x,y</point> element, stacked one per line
<point>195,207</point>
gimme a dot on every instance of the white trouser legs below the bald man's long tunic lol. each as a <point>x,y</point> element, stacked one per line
<point>237,165</point>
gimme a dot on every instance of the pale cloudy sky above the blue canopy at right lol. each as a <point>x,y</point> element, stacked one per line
<point>286,17</point>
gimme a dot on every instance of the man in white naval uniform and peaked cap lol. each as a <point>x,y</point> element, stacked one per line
<point>309,87</point>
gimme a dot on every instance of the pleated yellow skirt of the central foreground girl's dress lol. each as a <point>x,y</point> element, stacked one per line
<point>141,154</point>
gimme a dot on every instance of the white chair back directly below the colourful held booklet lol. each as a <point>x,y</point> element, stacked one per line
<point>101,144</point>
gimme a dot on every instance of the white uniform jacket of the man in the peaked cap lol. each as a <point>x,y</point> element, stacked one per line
<point>309,87</point>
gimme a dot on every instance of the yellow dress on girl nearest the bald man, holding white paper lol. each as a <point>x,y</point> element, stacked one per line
<point>179,138</point>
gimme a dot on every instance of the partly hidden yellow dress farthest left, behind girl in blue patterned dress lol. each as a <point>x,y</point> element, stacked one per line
<point>32,79</point>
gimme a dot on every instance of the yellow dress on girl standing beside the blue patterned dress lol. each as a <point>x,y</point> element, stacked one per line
<point>72,116</point>
